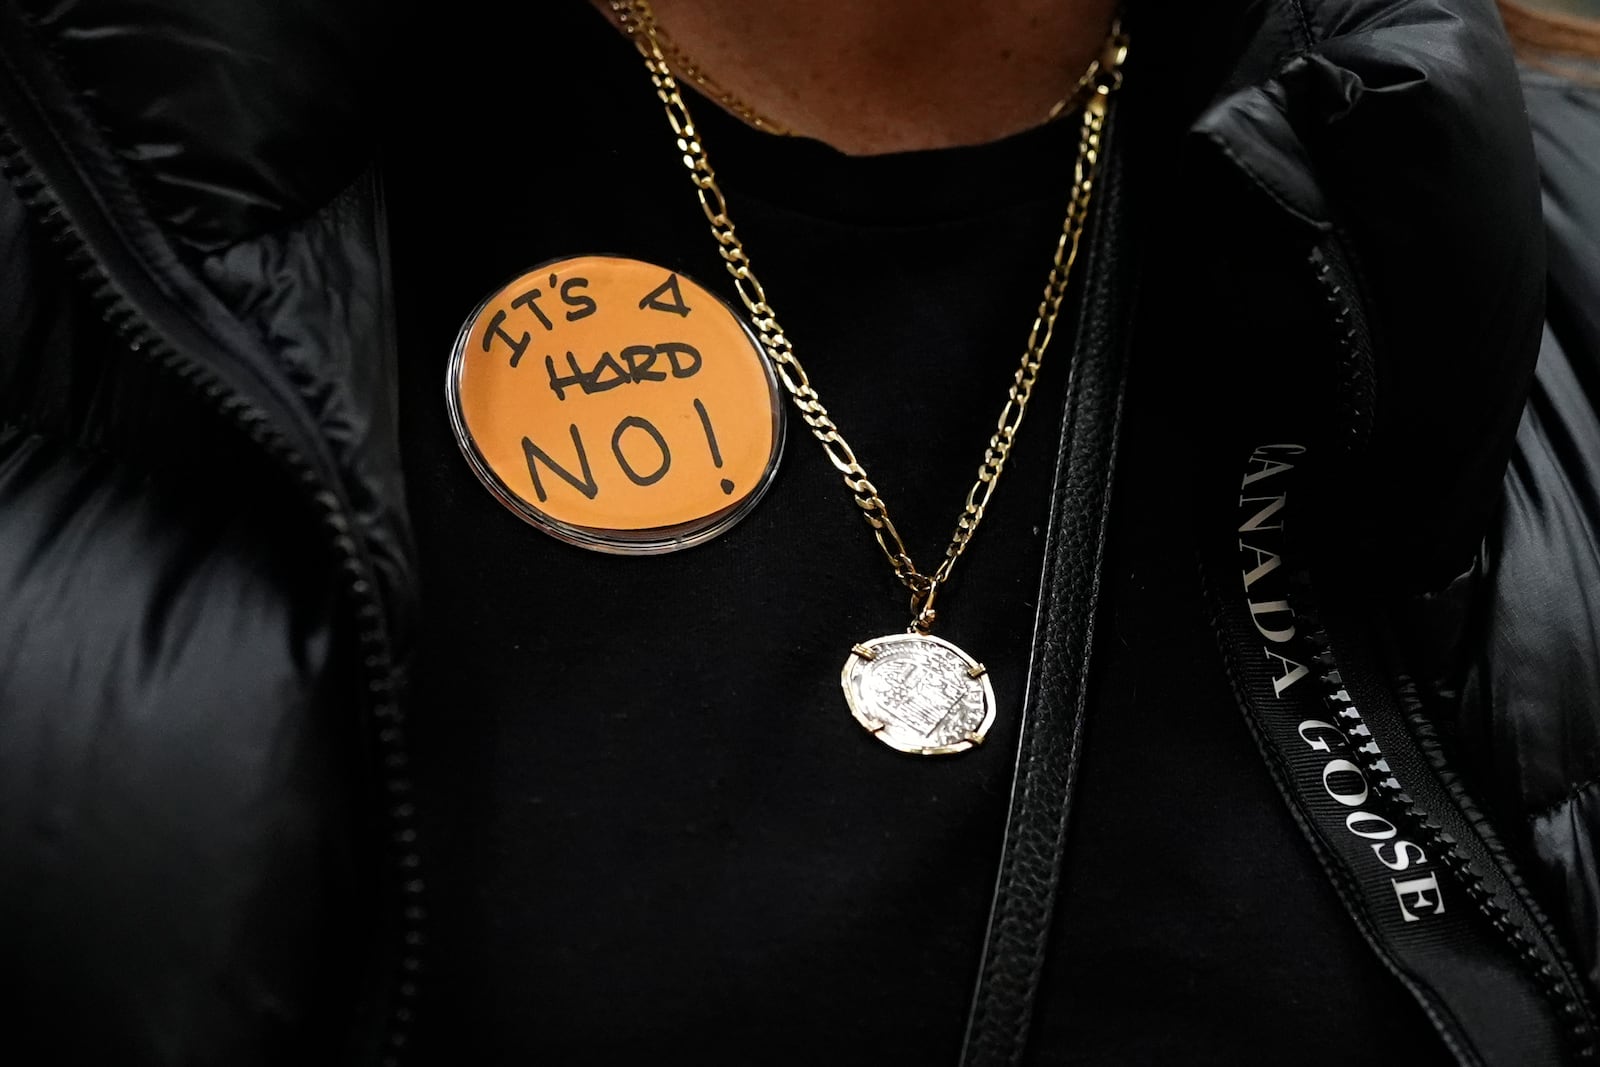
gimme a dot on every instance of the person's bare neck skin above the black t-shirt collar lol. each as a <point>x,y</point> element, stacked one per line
<point>890,76</point>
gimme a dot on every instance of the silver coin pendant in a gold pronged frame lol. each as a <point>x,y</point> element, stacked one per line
<point>919,693</point>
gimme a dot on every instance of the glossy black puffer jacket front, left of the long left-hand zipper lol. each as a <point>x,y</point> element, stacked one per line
<point>178,881</point>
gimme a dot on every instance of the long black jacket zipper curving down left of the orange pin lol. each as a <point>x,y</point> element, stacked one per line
<point>135,324</point>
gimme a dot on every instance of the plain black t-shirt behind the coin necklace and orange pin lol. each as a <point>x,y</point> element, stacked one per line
<point>654,829</point>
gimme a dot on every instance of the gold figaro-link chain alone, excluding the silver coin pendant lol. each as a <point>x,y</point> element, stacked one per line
<point>1098,84</point>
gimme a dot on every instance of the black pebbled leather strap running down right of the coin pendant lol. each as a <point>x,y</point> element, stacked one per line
<point>1052,732</point>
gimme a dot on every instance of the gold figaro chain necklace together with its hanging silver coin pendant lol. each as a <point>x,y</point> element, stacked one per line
<point>914,692</point>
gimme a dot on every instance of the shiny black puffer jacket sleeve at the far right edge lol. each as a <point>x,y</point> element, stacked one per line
<point>1535,695</point>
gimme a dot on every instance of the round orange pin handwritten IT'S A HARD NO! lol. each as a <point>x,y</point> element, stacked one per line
<point>617,406</point>
